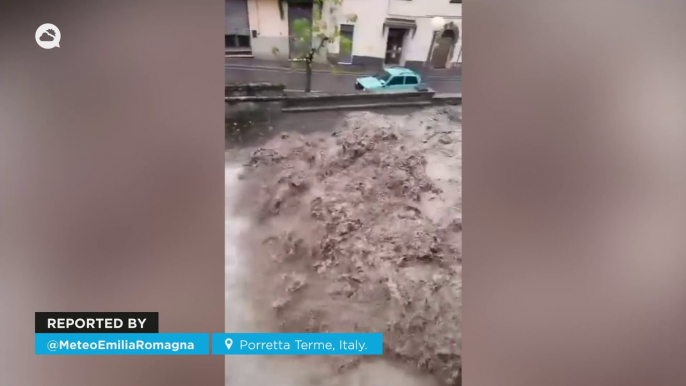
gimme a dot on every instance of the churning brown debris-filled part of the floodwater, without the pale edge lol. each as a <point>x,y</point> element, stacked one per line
<point>365,225</point>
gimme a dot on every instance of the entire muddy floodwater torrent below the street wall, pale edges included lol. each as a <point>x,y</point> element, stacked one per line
<point>352,228</point>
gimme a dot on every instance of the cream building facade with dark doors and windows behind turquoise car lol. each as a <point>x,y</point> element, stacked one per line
<point>380,32</point>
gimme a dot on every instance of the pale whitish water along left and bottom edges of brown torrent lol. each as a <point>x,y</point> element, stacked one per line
<point>281,370</point>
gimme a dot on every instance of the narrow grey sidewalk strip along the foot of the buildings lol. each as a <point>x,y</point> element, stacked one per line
<point>328,68</point>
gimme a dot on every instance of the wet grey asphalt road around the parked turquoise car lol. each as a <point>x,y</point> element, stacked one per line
<point>327,82</point>
